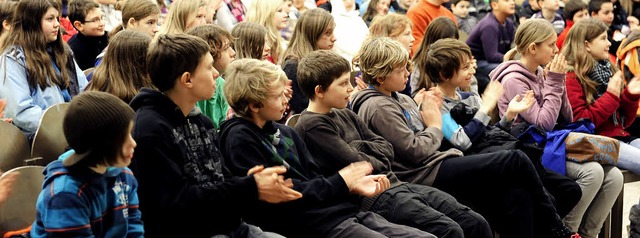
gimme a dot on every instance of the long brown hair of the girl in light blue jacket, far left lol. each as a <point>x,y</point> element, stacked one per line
<point>26,32</point>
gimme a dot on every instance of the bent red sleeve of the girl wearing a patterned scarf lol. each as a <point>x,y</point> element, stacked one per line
<point>598,112</point>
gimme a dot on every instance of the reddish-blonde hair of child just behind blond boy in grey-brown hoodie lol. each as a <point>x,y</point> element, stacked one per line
<point>390,25</point>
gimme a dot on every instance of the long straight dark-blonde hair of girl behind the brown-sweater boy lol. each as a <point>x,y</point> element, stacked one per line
<point>310,27</point>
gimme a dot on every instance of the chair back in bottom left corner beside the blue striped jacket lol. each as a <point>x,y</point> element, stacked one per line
<point>19,211</point>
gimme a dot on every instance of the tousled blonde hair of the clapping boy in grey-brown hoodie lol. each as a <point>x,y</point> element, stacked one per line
<point>378,56</point>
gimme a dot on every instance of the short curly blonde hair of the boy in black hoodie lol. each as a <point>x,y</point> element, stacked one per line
<point>250,81</point>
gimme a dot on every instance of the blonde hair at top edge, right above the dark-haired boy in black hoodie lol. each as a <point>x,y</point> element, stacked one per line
<point>179,14</point>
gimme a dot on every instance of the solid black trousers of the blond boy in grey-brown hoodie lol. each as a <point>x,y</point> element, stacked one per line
<point>505,188</point>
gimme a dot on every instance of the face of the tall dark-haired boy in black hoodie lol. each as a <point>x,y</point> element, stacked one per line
<point>203,79</point>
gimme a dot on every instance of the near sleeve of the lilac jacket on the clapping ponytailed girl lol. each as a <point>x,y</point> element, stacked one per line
<point>544,113</point>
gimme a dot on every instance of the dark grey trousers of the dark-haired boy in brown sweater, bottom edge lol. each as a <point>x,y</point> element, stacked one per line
<point>431,210</point>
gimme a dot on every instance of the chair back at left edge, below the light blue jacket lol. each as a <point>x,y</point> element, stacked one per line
<point>14,149</point>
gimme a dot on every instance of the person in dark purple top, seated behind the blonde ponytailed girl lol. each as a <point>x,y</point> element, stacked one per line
<point>491,39</point>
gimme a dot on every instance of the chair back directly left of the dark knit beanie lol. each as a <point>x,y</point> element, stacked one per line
<point>49,141</point>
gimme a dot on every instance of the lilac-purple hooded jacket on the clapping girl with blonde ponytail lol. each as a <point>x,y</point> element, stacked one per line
<point>550,93</point>
